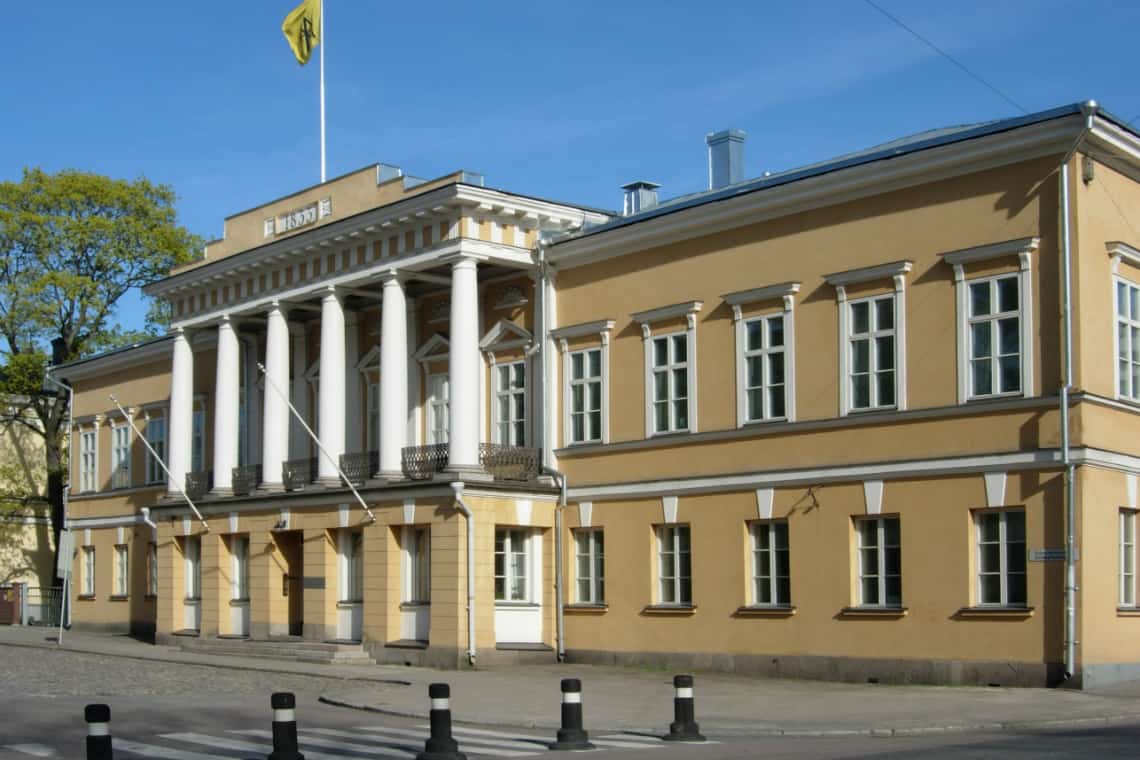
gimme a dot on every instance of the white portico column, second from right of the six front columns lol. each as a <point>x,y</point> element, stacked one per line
<point>394,378</point>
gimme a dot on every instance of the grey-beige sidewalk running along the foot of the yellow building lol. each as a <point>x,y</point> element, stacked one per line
<point>620,699</point>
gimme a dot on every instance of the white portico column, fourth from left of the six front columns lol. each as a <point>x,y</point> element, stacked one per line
<point>331,397</point>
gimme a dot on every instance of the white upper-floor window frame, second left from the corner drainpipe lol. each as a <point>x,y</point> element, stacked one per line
<point>897,273</point>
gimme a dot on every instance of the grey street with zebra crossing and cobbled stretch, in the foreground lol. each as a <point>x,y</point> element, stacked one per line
<point>180,712</point>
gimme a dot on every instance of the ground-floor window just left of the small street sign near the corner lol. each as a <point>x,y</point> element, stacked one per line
<point>1001,558</point>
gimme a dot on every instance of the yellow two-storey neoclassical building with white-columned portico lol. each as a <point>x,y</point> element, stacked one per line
<point>815,424</point>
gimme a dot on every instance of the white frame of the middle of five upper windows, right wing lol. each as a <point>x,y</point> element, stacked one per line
<point>785,292</point>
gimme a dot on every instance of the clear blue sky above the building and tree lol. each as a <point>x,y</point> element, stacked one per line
<point>561,101</point>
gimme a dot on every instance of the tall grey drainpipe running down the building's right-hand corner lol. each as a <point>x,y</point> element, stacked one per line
<point>1089,110</point>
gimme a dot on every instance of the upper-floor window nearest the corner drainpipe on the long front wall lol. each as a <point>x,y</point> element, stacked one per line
<point>995,336</point>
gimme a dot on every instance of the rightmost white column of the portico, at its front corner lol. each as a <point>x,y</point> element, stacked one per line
<point>463,371</point>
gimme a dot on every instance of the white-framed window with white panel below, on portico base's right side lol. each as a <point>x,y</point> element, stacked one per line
<point>518,586</point>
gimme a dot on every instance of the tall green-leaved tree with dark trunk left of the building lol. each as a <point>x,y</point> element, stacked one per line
<point>72,246</point>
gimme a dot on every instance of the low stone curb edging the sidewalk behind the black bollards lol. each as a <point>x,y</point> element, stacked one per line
<point>711,728</point>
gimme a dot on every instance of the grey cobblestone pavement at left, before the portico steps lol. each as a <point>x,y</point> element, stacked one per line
<point>54,674</point>
